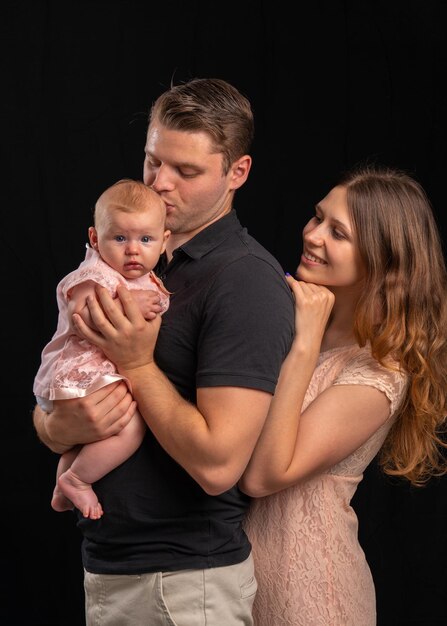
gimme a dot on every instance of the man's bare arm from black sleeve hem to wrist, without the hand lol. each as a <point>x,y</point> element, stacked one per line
<point>212,441</point>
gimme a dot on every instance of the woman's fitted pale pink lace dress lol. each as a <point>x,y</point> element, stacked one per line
<point>310,567</point>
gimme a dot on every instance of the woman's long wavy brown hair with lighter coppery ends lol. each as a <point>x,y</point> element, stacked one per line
<point>402,311</point>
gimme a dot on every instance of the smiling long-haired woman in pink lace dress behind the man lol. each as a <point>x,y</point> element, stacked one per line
<point>367,371</point>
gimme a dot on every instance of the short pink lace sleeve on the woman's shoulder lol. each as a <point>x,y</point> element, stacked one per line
<point>363,369</point>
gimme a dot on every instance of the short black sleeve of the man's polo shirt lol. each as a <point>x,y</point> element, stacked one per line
<point>248,327</point>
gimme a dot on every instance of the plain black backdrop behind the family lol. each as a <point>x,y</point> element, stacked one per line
<point>331,82</point>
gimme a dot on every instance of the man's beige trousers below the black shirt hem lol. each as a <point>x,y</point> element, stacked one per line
<point>220,596</point>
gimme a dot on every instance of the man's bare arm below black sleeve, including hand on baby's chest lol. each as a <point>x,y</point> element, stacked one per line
<point>213,441</point>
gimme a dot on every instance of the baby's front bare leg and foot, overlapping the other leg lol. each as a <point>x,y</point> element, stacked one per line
<point>94,461</point>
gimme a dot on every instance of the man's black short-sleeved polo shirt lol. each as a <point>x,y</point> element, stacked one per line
<point>230,323</point>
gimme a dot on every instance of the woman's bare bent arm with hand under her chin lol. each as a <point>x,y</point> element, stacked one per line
<point>295,445</point>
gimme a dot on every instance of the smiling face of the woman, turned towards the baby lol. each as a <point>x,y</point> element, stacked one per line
<point>330,253</point>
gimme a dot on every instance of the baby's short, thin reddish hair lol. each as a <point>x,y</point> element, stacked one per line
<point>129,196</point>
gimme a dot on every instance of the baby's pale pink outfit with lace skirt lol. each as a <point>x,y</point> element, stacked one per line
<point>72,367</point>
